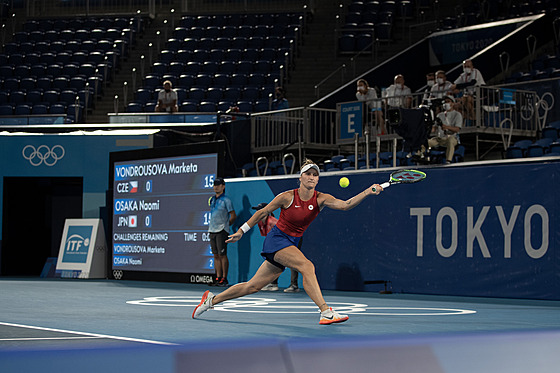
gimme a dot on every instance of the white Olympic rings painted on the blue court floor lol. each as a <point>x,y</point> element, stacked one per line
<point>271,305</point>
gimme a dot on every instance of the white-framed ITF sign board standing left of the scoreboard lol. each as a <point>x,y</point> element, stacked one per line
<point>83,249</point>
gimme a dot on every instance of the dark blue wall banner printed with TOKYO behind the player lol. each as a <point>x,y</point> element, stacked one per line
<point>486,230</point>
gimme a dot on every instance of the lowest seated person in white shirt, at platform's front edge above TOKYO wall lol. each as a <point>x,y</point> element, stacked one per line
<point>446,128</point>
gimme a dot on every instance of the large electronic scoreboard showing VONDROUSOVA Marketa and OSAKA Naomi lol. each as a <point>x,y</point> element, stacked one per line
<point>161,211</point>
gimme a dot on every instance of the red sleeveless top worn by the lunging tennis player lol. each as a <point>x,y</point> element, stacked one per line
<point>295,219</point>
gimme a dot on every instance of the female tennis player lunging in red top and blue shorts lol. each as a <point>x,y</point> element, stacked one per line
<point>298,209</point>
